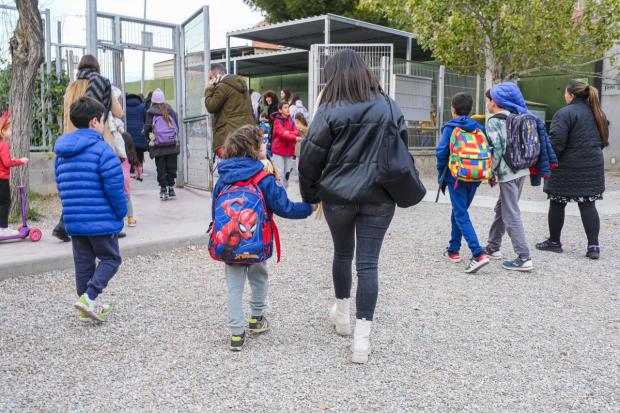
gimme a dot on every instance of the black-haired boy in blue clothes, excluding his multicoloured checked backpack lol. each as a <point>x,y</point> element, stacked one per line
<point>461,195</point>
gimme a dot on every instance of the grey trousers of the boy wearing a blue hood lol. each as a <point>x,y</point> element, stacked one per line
<point>508,219</point>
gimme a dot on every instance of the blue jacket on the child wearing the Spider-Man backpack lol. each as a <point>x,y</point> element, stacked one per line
<point>241,169</point>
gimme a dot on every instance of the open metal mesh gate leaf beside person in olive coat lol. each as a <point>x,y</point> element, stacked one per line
<point>195,62</point>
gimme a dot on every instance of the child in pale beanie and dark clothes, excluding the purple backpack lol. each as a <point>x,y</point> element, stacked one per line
<point>165,155</point>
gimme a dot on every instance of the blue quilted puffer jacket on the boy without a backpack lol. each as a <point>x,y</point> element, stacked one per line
<point>90,184</point>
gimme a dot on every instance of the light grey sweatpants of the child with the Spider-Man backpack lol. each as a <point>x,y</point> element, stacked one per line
<point>259,285</point>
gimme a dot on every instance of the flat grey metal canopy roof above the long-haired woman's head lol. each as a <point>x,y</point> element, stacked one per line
<point>325,29</point>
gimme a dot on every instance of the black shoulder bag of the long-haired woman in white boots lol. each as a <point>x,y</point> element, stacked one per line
<point>397,172</point>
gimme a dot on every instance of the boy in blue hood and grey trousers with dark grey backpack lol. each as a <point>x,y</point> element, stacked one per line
<point>514,133</point>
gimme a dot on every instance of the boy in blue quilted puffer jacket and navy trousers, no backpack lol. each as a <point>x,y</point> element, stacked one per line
<point>90,185</point>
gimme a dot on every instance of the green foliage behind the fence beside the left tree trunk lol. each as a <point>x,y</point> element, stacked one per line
<point>54,90</point>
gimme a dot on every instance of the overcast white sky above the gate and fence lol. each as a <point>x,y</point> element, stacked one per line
<point>225,15</point>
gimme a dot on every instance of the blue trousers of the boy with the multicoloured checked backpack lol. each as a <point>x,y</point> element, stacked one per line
<point>462,227</point>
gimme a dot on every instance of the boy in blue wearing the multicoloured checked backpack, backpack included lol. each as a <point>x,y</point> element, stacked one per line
<point>463,161</point>
